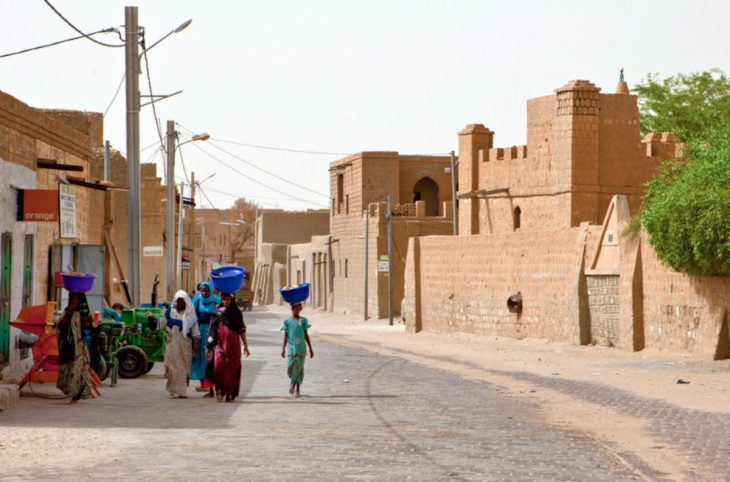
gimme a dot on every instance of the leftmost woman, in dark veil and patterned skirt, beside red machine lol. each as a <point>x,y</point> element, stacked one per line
<point>73,354</point>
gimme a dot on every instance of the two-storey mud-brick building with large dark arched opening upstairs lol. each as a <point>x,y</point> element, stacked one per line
<point>420,192</point>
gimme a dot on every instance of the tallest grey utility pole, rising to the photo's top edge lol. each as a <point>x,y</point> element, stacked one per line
<point>133,197</point>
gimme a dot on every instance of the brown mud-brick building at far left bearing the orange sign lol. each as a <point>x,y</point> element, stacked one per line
<point>30,137</point>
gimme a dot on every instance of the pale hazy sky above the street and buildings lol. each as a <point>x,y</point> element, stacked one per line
<point>341,76</point>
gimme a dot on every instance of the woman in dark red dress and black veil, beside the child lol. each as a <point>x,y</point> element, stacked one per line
<point>226,334</point>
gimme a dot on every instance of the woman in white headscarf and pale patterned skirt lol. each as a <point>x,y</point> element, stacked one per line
<point>183,336</point>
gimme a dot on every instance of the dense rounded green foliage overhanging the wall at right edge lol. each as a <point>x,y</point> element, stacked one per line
<point>687,207</point>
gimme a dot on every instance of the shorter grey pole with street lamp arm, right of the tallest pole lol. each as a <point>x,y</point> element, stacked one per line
<point>172,146</point>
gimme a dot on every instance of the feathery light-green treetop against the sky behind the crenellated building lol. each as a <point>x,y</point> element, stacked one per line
<point>688,105</point>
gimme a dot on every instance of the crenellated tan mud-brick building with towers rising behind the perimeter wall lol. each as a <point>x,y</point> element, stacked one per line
<point>583,147</point>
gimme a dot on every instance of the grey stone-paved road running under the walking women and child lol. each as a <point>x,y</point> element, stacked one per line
<point>362,416</point>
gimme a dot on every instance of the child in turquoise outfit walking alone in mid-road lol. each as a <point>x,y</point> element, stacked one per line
<point>296,340</point>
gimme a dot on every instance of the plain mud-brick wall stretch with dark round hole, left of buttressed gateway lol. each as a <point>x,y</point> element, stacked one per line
<point>465,282</point>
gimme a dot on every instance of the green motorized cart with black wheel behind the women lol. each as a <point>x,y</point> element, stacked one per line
<point>143,341</point>
